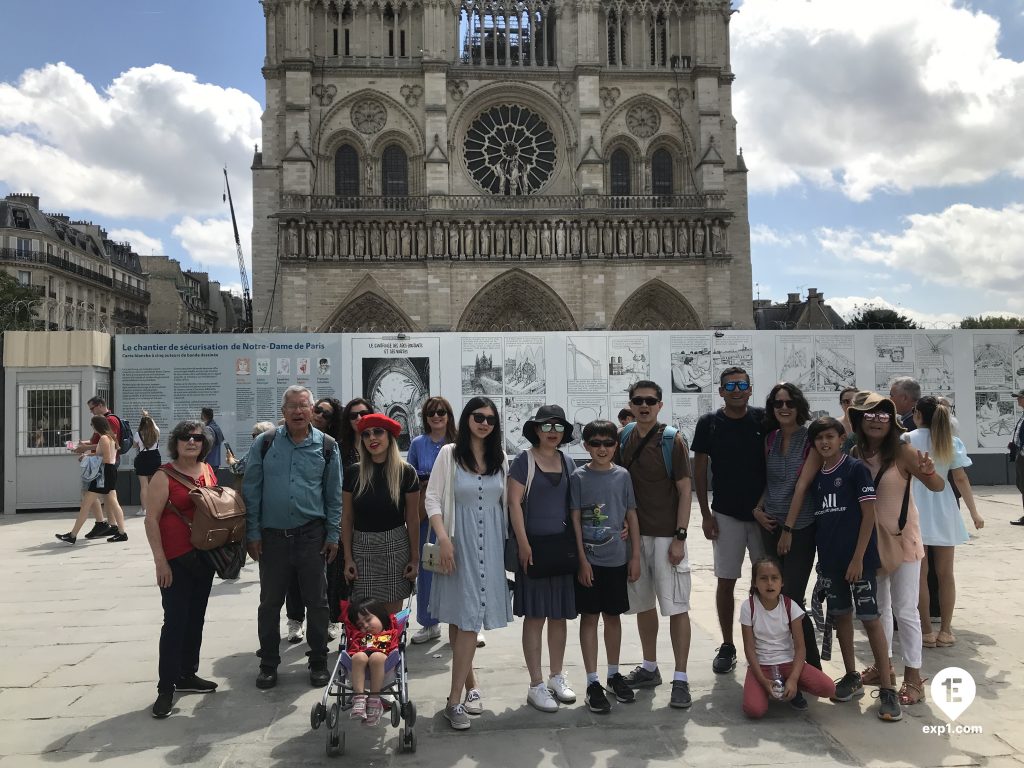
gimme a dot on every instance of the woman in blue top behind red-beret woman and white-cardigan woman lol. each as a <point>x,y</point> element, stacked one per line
<point>439,431</point>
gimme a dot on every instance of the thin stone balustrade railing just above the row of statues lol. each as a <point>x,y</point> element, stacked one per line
<point>709,202</point>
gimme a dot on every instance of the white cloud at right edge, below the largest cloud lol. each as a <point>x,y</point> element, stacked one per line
<point>963,246</point>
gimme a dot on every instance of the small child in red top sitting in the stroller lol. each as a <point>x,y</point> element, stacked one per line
<point>369,647</point>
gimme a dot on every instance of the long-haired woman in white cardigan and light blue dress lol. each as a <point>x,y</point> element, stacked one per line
<point>466,505</point>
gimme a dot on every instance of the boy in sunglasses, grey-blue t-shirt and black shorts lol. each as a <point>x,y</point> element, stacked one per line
<point>602,503</point>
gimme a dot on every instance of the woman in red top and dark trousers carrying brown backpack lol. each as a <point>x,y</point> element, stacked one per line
<point>185,578</point>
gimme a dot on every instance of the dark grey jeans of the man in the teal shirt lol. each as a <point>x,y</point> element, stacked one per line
<point>295,552</point>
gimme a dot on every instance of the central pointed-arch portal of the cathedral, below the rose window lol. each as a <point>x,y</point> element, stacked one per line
<point>517,302</point>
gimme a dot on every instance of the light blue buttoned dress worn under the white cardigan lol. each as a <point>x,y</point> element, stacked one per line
<point>477,595</point>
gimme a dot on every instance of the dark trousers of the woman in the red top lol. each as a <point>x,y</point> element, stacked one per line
<point>185,614</point>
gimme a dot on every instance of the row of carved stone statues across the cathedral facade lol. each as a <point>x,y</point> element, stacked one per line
<point>536,238</point>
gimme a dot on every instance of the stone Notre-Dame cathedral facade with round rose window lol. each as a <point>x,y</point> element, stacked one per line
<point>493,165</point>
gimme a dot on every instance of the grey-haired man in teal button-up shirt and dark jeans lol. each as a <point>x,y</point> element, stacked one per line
<point>293,520</point>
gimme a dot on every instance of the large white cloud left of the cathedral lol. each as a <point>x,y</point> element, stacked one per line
<point>151,146</point>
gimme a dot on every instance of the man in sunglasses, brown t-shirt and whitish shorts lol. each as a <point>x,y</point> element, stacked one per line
<point>663,495</point>
